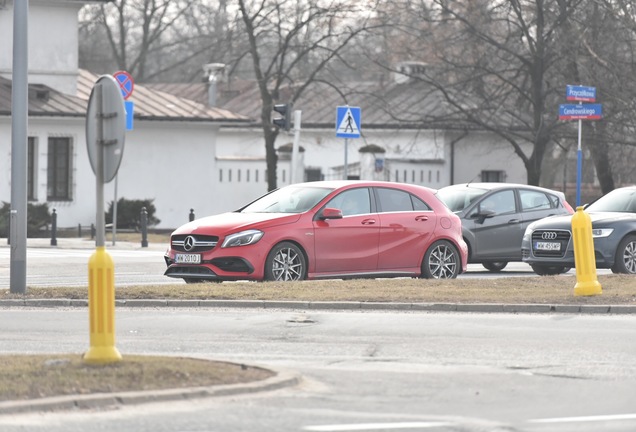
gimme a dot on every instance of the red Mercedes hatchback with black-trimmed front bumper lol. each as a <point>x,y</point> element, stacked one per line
<point>327,229</point>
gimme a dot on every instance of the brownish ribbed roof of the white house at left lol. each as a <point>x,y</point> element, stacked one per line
<point>149,104</point>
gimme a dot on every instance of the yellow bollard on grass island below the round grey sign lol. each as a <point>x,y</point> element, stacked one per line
<point>101,306</point>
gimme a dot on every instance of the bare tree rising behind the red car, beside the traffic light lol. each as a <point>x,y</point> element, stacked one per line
<point>291,44</point>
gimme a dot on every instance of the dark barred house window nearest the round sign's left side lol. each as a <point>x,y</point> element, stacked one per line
<point>59,169</point>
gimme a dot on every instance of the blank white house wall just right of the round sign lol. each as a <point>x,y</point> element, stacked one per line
<point>172,163</point>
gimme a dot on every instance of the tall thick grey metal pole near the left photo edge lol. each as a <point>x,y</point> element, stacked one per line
<point>19,140</point>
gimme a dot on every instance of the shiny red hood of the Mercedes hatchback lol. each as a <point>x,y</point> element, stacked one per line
<point>235,222</point>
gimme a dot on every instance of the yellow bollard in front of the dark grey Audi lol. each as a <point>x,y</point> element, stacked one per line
<point>584,259</point>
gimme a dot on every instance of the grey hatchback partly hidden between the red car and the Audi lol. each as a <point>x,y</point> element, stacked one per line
<point>495,216</point>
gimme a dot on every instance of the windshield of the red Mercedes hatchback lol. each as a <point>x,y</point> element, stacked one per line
<point>290,199</point>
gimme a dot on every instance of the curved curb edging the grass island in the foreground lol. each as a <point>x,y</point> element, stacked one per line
<point>282,379</point>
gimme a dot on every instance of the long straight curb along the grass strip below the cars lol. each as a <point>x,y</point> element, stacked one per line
<point>335,305</point>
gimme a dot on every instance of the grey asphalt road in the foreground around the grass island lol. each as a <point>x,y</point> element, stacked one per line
<point>363,371</point>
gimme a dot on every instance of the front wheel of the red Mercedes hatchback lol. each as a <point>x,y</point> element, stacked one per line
<point>285,262</point>
